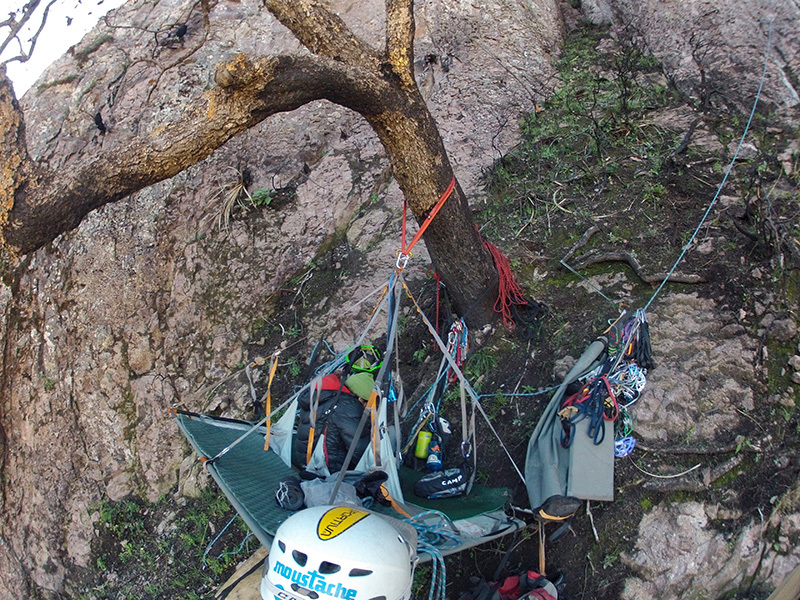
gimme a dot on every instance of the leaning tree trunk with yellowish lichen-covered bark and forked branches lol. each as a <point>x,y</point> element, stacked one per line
<point>341,68</point>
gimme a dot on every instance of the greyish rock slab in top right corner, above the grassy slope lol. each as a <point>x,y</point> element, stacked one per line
<point>716,51</point>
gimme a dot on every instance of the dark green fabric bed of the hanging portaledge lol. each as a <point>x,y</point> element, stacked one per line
<point>249,476</point>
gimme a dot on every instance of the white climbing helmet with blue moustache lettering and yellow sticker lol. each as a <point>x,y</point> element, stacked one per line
<point>339,552</point>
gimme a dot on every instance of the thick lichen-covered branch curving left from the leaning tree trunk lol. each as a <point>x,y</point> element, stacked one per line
<point>247,92</point>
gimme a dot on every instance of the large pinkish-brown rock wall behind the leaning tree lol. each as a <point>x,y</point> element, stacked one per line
<point>149,303</point>
